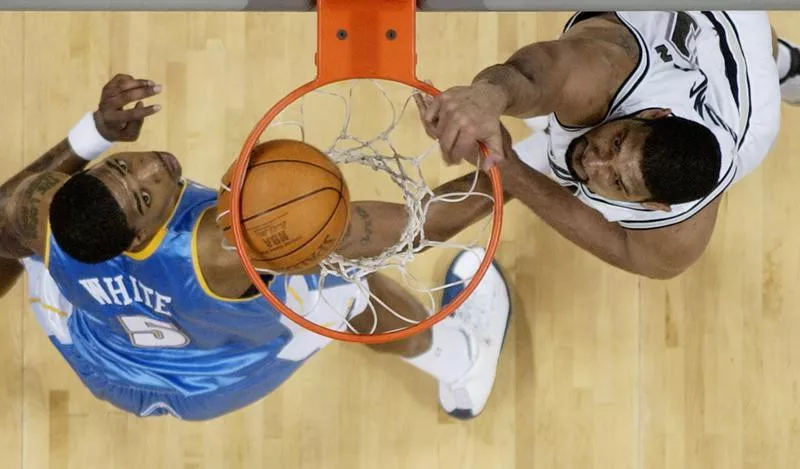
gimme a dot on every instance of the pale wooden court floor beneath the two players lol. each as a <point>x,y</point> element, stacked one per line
<point>602,370</point>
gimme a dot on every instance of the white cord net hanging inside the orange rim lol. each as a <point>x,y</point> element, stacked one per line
<point>385,155</point>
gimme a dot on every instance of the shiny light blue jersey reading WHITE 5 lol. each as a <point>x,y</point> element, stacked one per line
<point>148,335</point>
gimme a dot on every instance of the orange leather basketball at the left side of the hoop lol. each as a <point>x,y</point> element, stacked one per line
<point>295,206</point>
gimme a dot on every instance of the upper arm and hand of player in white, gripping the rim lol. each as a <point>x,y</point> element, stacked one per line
<point>575,77</point>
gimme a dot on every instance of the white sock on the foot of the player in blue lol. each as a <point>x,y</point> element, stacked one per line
<point>448,358</point>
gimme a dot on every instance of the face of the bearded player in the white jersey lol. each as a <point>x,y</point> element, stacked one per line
<point>608,160</point>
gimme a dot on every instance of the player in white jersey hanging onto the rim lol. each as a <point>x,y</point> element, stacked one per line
<point>647,117</point>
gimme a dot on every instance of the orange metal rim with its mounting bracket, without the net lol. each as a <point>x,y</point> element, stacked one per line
<point>367,50</point>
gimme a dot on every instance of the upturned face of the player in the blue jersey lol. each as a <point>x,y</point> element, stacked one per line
<point>146,185</point>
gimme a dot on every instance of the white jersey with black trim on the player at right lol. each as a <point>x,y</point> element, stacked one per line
<point>696,64</point>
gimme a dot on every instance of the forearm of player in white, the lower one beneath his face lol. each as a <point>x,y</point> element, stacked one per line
<point>574,220</point>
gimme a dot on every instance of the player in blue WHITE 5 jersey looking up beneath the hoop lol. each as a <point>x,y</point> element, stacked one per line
<point>128,277</point>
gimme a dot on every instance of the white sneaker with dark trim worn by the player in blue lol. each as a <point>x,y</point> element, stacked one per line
<point>484,320</point>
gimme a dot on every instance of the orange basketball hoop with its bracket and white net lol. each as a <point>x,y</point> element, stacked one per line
<point>361,40</point>
